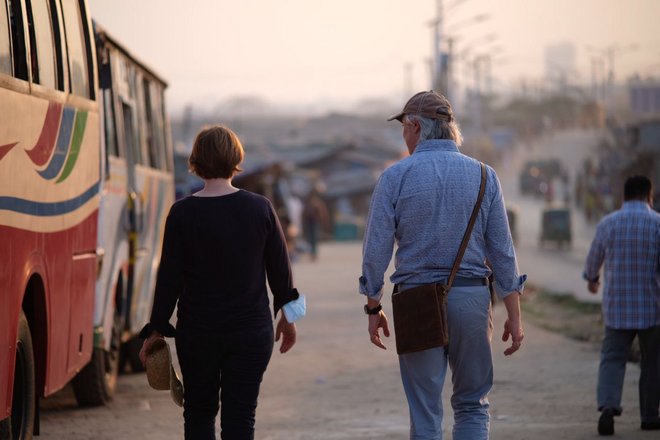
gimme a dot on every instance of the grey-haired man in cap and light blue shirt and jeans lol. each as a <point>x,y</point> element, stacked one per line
<point>423,204</point>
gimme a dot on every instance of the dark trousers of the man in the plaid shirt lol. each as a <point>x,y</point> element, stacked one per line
<point>614,355</point>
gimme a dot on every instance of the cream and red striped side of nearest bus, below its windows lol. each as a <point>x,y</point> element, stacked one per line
<point>49,184</point>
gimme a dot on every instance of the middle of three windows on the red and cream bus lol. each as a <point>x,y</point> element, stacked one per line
<point>42,43</point>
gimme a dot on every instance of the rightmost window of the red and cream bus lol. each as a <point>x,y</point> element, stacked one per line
<point>75,38</point>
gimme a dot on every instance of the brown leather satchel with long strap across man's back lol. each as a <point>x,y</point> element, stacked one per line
<point>420,313</point>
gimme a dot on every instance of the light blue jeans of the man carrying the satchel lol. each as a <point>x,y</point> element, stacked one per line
<point>469,357</point>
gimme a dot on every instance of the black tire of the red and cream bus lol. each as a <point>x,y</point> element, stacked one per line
<point>20,423</point>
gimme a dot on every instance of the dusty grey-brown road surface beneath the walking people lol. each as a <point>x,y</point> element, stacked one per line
<point>336,385</point>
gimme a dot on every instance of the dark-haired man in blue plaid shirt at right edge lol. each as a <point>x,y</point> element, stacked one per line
<point>627,242</point>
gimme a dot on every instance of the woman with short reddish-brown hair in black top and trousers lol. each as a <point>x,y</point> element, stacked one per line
<point>220,246</point>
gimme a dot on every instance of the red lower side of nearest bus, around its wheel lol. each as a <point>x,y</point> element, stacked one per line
<point>69,301</point>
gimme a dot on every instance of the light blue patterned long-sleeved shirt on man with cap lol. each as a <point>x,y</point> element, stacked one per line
<point>423,204</point>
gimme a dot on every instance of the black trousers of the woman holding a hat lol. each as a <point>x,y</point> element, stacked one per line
<point>226,367</point>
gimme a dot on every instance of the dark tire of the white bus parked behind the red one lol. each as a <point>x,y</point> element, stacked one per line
<point>95,385</point>
